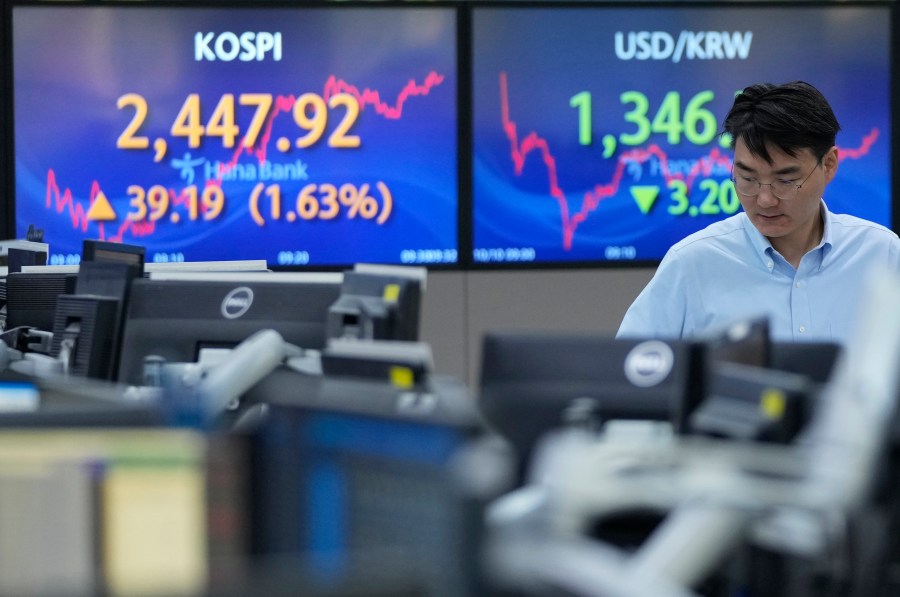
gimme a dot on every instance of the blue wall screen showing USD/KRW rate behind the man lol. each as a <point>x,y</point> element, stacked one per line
<point>596,129</point>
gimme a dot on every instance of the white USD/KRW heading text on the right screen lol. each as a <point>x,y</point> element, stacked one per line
<point>689,45</point>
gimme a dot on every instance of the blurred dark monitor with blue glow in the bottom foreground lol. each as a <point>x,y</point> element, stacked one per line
<point>354,477</point>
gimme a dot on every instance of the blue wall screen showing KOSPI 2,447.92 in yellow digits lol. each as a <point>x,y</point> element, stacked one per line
<point>305,135</point>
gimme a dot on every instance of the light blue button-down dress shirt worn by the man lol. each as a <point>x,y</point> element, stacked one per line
<point>729,271</point>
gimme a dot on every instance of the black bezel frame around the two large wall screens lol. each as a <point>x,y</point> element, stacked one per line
<point>464,49</point>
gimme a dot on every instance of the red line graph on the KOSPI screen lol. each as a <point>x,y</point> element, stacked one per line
<point>63,200</point>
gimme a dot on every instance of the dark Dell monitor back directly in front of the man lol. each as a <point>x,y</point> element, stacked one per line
<point>533,382</point>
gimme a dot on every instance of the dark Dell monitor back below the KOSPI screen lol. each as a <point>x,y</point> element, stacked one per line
<point>174,316</point>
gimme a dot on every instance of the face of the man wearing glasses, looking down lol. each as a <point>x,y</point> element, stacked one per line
<point>780,210</point>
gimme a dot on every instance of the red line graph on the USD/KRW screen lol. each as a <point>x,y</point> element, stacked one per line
<point>532,142</point>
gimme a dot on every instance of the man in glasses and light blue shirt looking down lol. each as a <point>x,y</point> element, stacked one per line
<point>785,255</point>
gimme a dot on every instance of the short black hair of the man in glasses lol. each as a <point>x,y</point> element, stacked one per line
<point>791,117</point>
